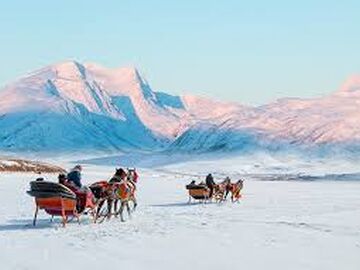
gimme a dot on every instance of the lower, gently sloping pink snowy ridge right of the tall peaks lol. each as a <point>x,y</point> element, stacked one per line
<point>325,124</point>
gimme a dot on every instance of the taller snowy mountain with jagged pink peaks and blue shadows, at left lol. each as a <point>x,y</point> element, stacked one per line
<point>85,106</point>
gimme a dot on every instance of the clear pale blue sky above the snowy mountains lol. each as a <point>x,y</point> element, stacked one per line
<point>248,51</point>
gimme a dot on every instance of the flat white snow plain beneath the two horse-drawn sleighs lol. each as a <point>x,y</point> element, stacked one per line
<point>277,225</point>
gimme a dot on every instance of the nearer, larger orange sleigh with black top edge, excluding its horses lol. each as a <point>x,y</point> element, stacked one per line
<point>59,200</point>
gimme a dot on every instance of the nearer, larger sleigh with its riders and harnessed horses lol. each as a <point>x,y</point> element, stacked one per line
<point>69,198</point>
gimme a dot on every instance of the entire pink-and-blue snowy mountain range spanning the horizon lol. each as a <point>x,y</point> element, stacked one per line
<point>86,106</point>
